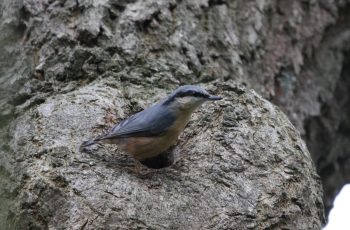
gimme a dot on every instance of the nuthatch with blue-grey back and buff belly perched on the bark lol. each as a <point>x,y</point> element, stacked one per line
<point>154,130</point>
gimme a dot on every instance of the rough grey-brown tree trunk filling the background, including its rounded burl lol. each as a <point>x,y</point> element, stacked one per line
<point>121,55</point>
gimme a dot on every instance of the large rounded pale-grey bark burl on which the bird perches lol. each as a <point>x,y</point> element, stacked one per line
<point>240,163</point>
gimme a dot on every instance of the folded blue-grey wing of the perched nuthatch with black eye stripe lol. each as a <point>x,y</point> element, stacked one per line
<point>153,121</point>
